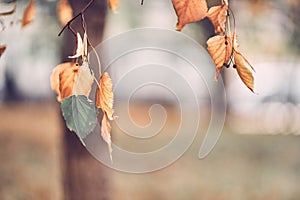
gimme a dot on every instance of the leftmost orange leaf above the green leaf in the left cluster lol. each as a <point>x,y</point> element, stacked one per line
<point>62,79</point>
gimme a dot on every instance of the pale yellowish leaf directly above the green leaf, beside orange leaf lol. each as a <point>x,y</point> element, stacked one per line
<point>84,80</point>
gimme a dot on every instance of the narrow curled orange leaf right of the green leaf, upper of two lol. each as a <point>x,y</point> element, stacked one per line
<point>105,97</point>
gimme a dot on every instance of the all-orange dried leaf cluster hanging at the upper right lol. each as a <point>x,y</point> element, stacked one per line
<point>223,47</point>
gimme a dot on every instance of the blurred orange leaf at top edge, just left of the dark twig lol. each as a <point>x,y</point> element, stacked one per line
<point>64,11</point>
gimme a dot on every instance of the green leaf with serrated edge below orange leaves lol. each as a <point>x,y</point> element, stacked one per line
<point>80,114</point>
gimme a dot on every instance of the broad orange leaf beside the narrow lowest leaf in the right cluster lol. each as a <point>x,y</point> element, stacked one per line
<point>220,49</point>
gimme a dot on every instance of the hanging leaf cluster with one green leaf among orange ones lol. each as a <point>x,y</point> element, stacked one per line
<point>73,81</point>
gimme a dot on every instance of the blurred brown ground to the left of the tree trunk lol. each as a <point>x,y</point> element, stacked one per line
<point>30,152</point>
